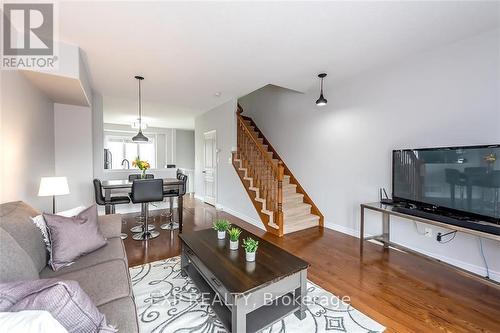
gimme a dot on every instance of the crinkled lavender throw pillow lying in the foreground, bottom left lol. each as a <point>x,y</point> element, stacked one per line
<point>64,300</point>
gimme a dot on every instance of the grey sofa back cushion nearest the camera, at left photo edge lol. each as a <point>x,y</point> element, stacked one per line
<point>15,264</point>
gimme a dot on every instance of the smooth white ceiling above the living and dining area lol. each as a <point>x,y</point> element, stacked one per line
<point>189,51</point>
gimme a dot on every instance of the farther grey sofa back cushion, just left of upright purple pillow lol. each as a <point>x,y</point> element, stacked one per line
<point>15,218</point>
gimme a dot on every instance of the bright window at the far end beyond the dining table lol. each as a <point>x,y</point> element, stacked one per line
<point>122,147</point>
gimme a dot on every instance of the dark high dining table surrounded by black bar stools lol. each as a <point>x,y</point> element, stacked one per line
<point>124,184</point>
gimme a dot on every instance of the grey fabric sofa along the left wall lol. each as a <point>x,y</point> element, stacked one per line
<point>102,274</point>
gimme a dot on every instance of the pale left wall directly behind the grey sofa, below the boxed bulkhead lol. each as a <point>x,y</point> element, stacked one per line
<point>27,140</point>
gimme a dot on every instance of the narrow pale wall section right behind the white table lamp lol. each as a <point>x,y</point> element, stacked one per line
<point>73,153</point>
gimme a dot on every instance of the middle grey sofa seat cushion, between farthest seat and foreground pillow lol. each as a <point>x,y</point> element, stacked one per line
<point>103,282</point>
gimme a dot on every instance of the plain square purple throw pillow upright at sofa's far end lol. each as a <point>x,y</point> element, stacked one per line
<point>73,237</point>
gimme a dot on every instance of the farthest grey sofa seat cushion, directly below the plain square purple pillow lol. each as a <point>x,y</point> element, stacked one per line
<point>113,250</point>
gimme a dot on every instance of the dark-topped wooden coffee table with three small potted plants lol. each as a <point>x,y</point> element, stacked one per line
<point>246,297</point>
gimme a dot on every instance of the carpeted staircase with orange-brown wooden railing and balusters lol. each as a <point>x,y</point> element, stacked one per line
<point>282,204</point>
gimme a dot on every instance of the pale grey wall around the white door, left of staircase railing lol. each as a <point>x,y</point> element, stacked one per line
<point>231,195</point>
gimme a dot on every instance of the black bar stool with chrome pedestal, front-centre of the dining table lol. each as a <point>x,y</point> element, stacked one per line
<point>145,191</point>
